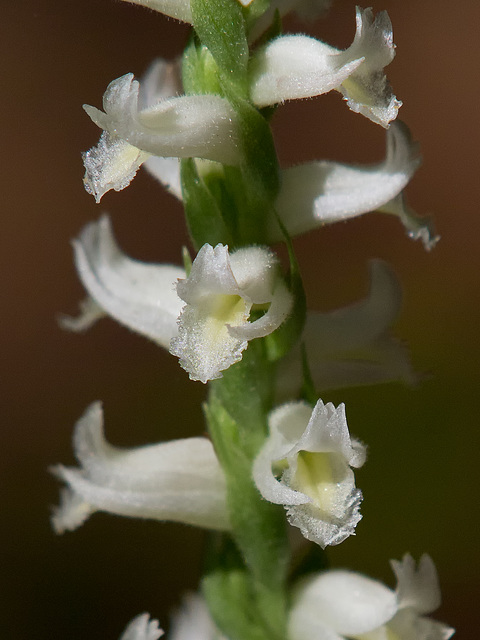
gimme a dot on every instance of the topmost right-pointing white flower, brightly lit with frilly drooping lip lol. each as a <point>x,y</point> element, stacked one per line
<point>296,66</point>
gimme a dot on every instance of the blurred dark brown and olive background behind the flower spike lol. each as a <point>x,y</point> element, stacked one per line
<point>421,478</point>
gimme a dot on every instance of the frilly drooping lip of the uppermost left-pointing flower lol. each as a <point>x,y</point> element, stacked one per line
<point>112,164</point>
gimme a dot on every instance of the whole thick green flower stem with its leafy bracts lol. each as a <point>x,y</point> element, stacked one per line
<point>245,579</point>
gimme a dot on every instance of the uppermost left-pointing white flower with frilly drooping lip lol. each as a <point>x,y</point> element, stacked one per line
<point>142,121</point>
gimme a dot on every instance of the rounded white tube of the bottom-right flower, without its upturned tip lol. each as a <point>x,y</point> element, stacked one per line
<point>348,603</point>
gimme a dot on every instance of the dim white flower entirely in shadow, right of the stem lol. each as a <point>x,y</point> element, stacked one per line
<point>352,346</point>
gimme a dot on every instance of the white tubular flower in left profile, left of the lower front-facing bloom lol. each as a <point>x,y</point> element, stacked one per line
<point>180,480</point>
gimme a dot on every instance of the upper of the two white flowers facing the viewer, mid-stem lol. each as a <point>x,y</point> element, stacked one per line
<point>220,293</point>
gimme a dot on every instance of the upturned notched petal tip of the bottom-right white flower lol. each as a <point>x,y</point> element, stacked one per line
<point>417,588</point>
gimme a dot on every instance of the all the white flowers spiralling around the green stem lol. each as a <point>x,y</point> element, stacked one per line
<point>207,312</point>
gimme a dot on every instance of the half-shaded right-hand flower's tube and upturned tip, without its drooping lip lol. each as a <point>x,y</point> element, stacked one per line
<point>324,192</point>
